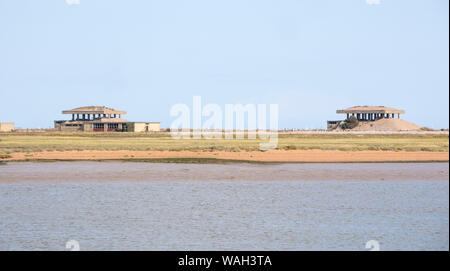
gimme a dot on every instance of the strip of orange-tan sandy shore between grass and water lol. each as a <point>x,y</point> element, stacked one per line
<point>251,156</point>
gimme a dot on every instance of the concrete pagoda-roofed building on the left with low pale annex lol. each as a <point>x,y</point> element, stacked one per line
<point>102,119</point>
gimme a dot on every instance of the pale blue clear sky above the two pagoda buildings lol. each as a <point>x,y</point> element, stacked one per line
<point>311,57</point>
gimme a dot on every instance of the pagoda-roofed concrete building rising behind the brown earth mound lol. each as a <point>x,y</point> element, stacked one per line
<point>366,113</point>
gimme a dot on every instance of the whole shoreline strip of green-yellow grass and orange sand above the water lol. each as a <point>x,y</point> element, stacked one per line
<point>291,148</point>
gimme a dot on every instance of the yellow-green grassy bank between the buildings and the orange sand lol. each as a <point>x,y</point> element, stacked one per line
<point>37,142</point>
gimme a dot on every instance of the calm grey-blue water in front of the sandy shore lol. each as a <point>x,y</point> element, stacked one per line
<point>143,206</point>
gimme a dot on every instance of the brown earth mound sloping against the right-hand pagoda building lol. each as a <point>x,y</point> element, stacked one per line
<point>387,125</point>
